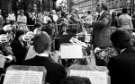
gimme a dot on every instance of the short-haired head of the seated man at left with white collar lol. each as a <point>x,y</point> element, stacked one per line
<point>41,42</point>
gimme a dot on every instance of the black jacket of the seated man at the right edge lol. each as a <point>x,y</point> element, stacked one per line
<point>122,67</point>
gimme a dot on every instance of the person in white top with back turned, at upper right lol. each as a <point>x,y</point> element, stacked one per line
<point>125,20</point>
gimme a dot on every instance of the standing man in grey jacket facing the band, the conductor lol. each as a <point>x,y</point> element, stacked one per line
<point>101,31</point>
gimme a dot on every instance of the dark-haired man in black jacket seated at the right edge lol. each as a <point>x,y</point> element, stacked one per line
<point>122,67</point>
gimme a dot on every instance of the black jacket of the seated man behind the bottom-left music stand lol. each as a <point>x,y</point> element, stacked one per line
<point>55,72</point>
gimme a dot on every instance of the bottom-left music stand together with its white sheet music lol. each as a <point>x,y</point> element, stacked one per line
<point>25,75</point>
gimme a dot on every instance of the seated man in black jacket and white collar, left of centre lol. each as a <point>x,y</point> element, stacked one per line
<point>42,46</point>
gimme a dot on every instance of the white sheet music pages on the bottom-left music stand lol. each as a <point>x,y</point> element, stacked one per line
<point>23,77</point>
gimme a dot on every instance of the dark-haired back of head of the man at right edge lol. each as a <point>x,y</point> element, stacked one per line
<point>120,39</point>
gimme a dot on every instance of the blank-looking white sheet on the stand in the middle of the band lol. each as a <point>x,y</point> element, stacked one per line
<point>71,51</point>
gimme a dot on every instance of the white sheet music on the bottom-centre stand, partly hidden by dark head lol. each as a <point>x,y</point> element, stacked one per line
<point>96,77</point>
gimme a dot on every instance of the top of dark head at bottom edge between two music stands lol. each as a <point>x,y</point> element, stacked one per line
<point>76,80</point>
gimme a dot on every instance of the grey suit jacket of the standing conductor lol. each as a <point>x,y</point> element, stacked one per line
<point>101,31</point>
